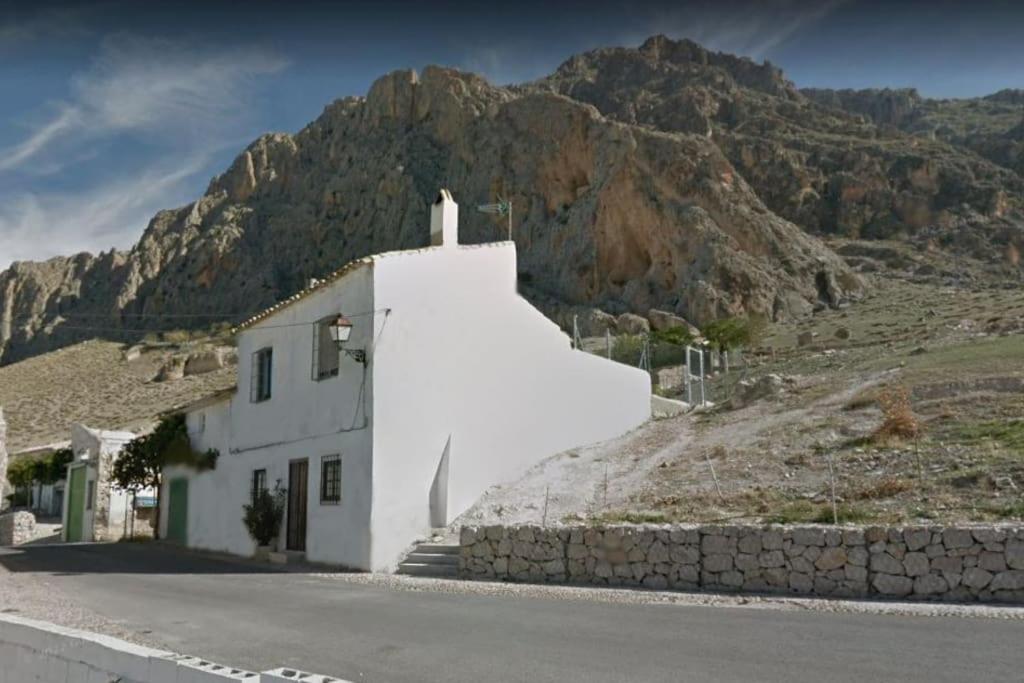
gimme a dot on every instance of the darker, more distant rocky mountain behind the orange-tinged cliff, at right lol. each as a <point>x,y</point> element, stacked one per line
<point>829,161</point>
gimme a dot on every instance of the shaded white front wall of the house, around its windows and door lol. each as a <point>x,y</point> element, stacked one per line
<point>304,419</point>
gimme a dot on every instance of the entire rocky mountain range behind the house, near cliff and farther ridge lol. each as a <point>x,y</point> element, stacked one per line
<point>665,178</point>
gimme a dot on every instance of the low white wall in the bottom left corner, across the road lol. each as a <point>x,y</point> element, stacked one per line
<point>45,653</point>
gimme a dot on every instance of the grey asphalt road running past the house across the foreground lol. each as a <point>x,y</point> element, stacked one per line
<point>245,617</point>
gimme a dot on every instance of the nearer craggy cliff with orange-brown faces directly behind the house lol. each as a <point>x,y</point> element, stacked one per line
<point>607,214</point>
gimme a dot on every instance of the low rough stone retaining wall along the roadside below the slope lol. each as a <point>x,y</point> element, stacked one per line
<point>963,564</point>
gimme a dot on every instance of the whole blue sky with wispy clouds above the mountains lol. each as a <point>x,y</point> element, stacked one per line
<point>112,111</point>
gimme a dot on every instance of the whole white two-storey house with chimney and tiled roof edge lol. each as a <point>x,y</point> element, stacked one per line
<point>450,383</point>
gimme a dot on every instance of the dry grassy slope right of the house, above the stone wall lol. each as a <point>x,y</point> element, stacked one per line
<point>798,416</point>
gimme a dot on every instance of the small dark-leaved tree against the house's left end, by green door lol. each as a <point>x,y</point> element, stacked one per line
<point>143,460</point>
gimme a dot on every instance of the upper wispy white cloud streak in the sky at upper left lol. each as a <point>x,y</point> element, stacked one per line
<point>148,87</point>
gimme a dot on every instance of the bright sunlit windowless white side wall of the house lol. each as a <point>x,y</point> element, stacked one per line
<point>464,357</point>
